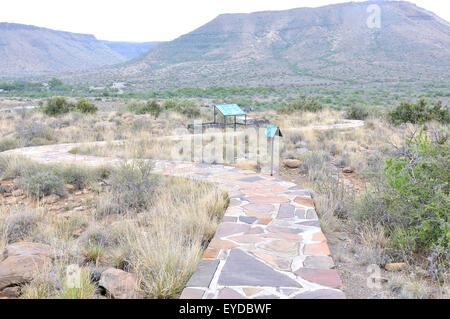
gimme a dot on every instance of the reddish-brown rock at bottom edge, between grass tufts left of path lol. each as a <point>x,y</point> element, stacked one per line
<point>119,284</point>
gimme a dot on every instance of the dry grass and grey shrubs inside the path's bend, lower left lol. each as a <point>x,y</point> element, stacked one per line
<point>152,226</point>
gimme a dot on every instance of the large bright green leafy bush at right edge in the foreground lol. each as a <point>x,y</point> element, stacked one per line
<point>413,201</point>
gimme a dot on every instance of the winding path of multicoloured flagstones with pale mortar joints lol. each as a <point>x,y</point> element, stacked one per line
<point>269,244</point>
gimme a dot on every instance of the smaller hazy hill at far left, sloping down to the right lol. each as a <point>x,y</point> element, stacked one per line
<point>30,51</point>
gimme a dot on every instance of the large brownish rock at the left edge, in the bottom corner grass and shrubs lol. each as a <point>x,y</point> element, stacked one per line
<point>16,270</point>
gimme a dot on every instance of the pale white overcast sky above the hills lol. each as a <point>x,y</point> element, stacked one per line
<point>150,20</point>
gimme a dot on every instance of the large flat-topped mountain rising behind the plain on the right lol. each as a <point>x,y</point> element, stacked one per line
<point>305,46</point>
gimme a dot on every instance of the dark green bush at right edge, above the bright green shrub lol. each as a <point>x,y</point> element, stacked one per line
<point>419,112</point>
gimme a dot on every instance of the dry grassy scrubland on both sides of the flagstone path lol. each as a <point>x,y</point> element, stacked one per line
<point>370,208</point>
